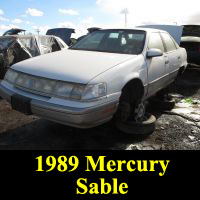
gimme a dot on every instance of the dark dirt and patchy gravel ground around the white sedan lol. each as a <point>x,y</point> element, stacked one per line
<point>177,130</point>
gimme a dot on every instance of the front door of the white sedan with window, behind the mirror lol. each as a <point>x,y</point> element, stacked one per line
<point>156,66</point>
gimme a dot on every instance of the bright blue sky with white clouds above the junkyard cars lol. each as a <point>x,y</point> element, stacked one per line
<point>81,14</point>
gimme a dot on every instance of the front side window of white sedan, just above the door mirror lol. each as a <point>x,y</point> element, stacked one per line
<point>155,42</point>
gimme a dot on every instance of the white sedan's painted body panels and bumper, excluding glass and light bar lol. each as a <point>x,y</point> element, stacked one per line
<point>87,67</point>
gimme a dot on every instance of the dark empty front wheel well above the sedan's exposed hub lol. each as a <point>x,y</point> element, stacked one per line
<point>137,86</point>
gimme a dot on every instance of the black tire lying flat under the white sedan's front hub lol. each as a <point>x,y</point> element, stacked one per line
<point>146,127</point>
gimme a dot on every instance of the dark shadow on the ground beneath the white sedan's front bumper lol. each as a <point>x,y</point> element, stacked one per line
<point>42,134</point>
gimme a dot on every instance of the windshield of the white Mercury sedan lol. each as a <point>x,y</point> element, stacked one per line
<point>113,41</point>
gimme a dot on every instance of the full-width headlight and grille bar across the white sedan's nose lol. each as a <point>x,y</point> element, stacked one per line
<point>56,88</point>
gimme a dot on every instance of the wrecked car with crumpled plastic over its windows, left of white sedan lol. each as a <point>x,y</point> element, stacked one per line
<point>16,48</point>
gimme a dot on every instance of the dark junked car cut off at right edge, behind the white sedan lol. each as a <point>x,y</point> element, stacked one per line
<point>191,42</point>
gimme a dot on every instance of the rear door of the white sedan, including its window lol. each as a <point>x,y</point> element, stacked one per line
<point>174,56</point>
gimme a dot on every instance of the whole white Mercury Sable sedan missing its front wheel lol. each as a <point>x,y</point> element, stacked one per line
<point>109,73</point>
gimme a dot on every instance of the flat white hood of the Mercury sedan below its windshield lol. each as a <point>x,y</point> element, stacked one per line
<point>71,65</point>
